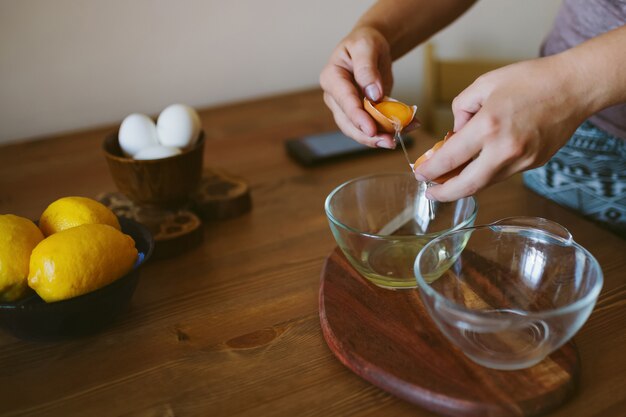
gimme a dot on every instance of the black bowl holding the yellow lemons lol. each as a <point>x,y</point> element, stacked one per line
<point>34,319</point>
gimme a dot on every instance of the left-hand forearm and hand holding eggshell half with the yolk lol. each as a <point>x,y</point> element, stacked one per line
<point>361,64</point>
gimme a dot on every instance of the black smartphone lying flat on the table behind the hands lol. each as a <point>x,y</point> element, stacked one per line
<point>326,147</point>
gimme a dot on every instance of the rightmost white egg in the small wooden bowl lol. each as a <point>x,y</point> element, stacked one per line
<point>178,125</point>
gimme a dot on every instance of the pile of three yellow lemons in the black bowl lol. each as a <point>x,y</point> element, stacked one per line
<point>77,248</point>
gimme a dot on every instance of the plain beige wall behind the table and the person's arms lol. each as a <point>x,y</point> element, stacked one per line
<point>73,64</point>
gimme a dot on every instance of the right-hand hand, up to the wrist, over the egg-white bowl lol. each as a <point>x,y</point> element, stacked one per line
<point>509,120</point>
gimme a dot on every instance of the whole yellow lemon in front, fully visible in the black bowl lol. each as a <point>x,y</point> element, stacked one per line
<point>80,260</point>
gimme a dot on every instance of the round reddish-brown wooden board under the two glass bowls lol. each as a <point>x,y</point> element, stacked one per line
<point>387,338</point>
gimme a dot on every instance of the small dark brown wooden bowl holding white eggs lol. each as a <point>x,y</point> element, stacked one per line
<point>166,182</point>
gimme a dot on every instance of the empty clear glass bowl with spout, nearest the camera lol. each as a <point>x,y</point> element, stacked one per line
<point>510,293</point>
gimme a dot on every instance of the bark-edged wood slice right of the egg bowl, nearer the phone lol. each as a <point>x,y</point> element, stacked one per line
<point>221,196</point>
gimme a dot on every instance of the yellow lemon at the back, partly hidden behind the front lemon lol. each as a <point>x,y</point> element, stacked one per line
<point>69,212</point>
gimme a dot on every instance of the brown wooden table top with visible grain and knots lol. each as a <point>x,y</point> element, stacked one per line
<point>232,328</point>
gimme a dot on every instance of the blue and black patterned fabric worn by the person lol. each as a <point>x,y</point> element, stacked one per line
<point>588,175</point>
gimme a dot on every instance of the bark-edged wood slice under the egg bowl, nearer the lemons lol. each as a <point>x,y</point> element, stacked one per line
<point>175,231</point>
